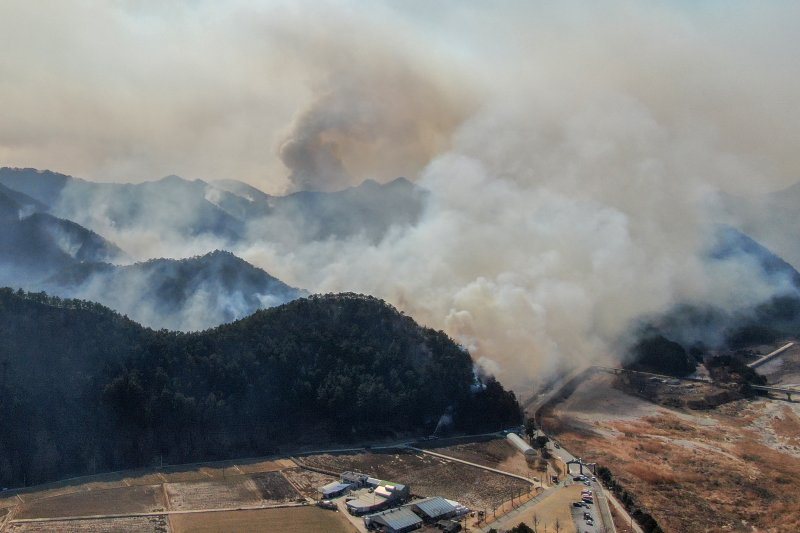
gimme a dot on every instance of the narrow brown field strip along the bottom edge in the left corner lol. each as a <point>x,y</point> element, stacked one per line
<point>145,524</point>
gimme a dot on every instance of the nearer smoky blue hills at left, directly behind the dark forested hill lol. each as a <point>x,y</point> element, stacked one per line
<point>39,251</point>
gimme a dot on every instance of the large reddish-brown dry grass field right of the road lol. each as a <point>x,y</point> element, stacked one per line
<point>732,468</point>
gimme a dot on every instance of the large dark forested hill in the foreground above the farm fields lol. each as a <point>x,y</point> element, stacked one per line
<point>85,389</point>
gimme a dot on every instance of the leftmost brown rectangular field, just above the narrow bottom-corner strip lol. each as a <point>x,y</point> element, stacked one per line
<point>142,499</point>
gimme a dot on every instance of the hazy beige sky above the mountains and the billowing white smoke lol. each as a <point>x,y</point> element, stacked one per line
<point>276,93</point>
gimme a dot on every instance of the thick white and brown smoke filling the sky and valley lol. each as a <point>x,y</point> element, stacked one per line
<point>573,154</point>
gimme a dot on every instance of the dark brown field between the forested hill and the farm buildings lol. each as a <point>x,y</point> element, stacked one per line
<point>428,475</point>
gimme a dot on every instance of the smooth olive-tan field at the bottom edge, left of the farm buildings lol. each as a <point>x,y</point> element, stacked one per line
<point>285,520</point>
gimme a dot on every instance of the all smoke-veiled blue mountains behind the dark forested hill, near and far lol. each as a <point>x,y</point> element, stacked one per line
<point>54,225</point>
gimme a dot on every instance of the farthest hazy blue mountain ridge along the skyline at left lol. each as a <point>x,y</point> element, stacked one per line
<point>228,211</point>
